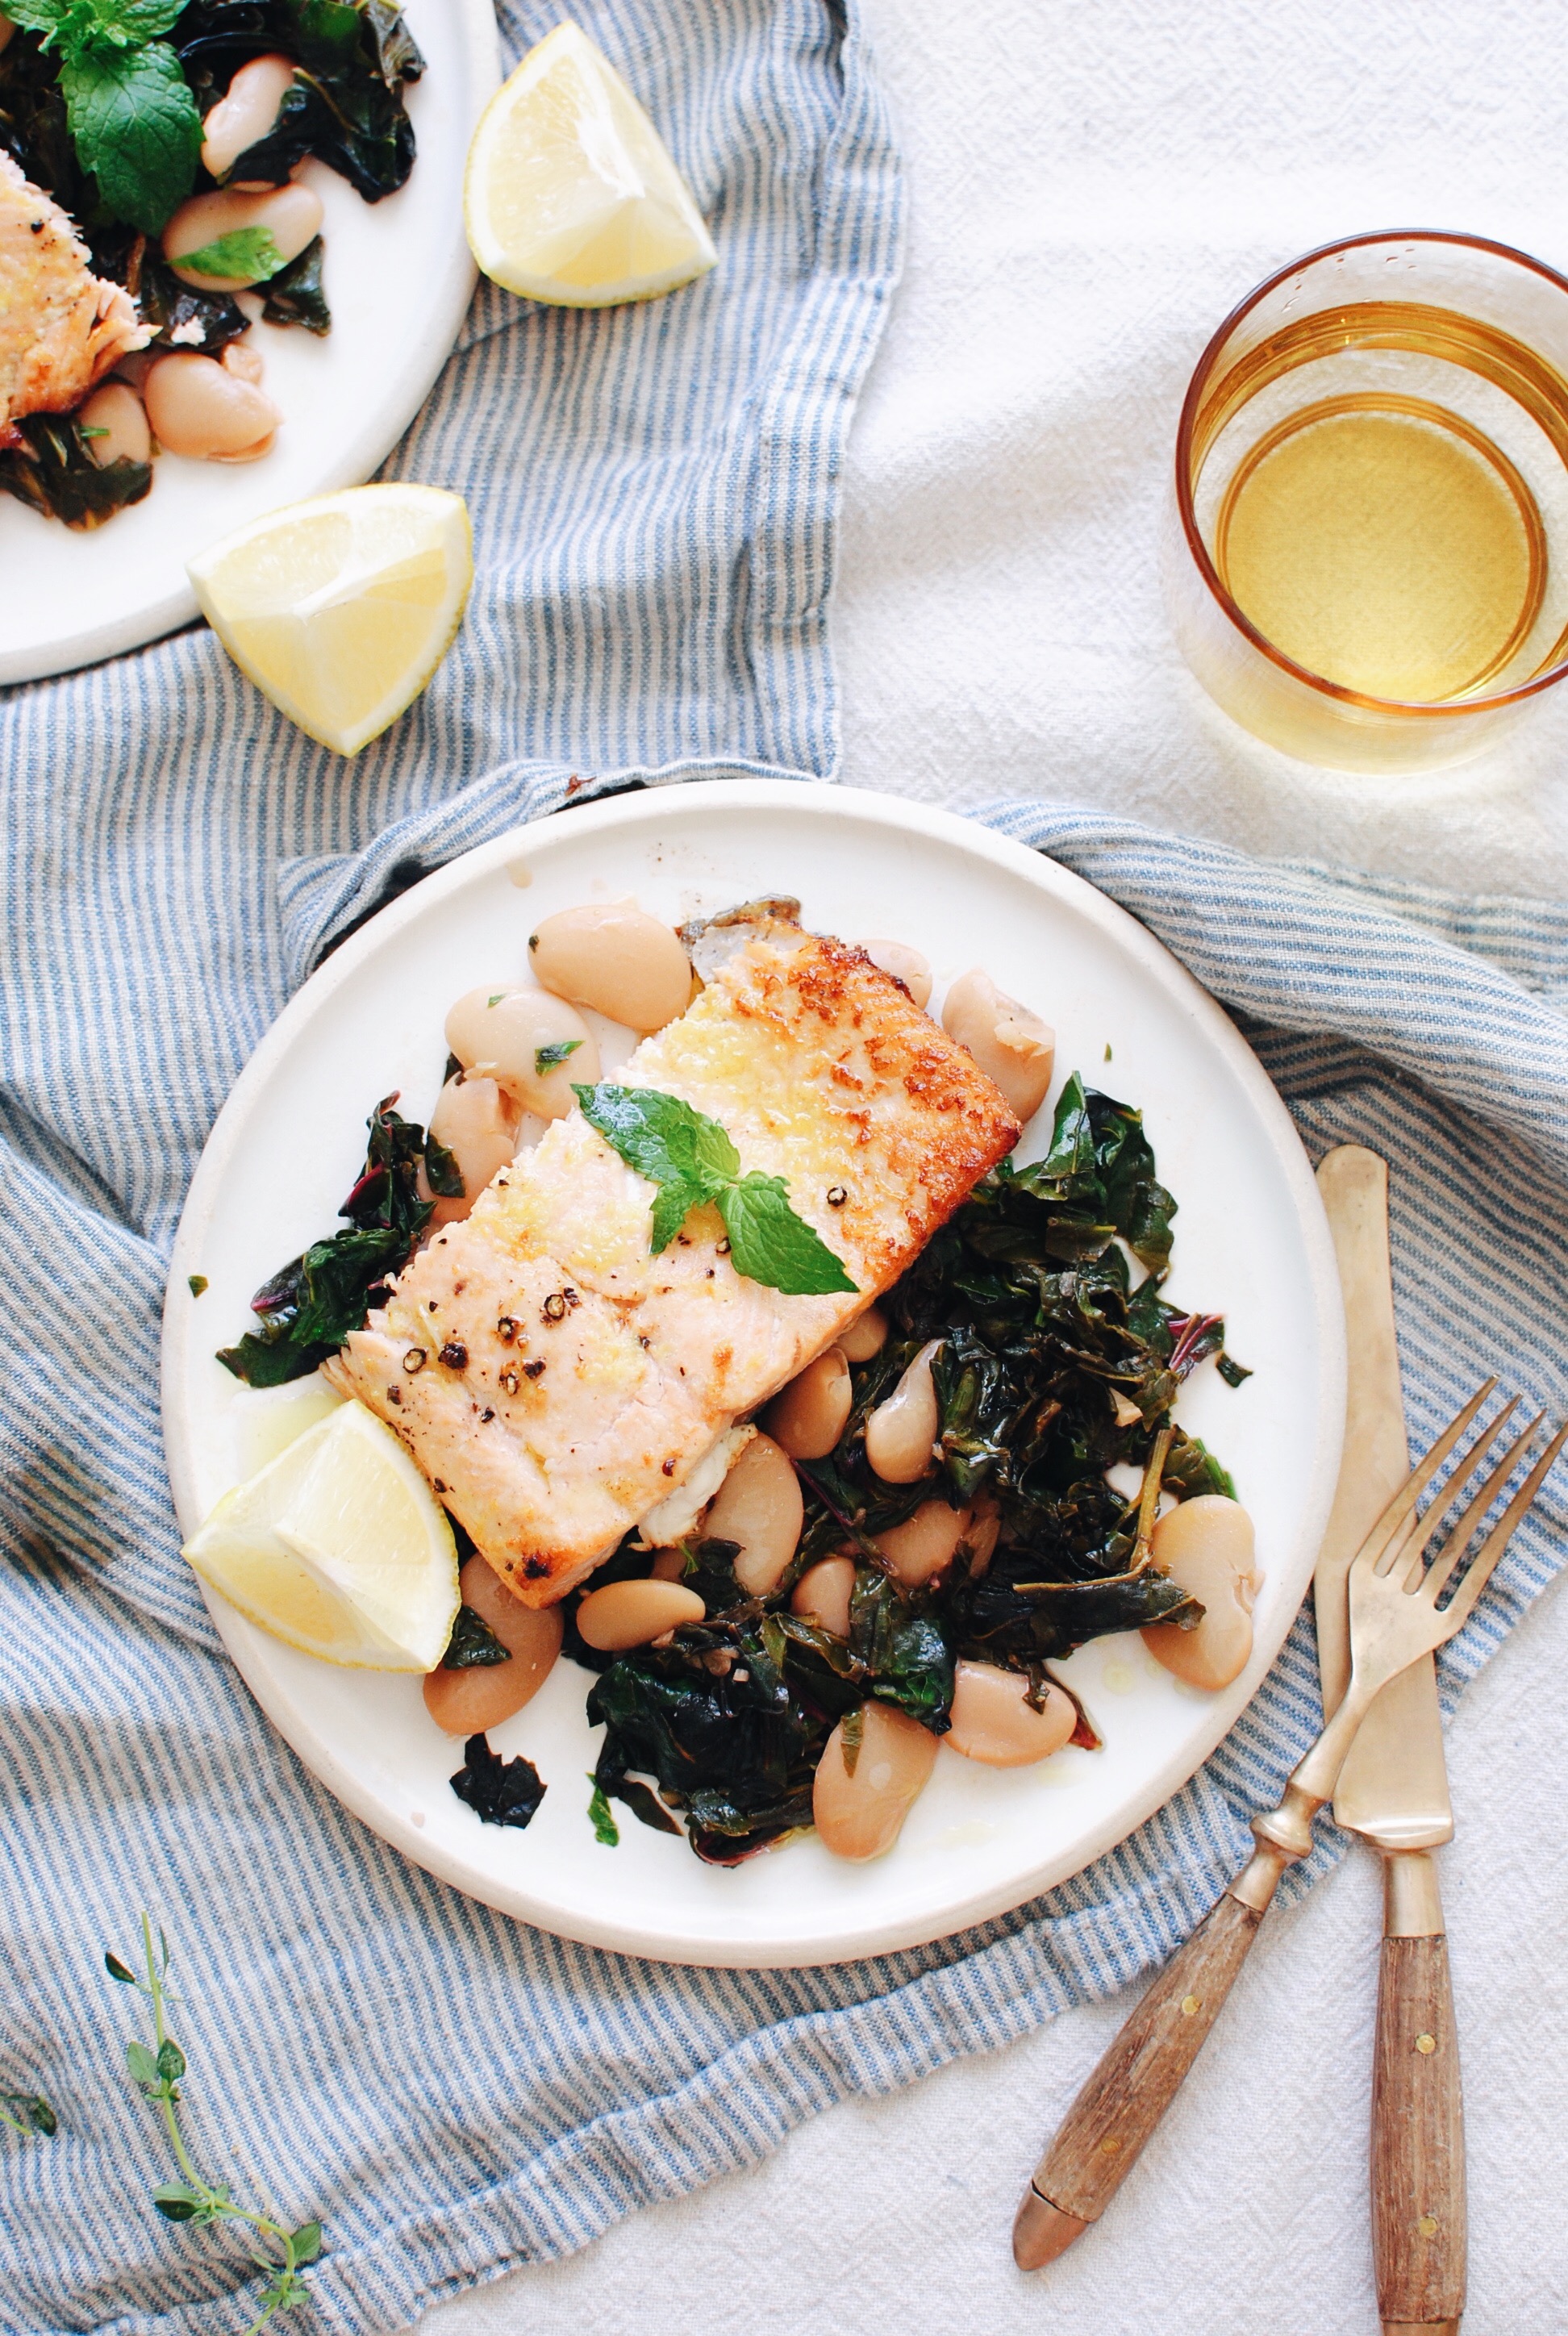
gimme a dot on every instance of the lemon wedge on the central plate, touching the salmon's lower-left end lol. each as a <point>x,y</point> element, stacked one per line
<point>340,1550</point>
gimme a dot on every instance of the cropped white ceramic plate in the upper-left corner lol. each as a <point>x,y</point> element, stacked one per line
<point>398,281</point>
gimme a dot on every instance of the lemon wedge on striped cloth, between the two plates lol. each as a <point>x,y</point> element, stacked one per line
<point>345,606</point>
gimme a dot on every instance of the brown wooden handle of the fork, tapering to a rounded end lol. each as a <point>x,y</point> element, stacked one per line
<point>1132,2087</point>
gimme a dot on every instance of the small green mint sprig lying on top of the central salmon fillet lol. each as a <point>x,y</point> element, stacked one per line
<point>691,1160</point>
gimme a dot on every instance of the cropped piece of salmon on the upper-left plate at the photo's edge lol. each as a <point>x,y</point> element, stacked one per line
<point>62,328</point>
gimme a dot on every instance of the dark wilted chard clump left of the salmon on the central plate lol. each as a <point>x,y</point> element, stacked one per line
<point>312,1305</point>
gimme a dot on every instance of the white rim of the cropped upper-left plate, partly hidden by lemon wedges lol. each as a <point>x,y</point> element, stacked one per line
<point>356,461</point>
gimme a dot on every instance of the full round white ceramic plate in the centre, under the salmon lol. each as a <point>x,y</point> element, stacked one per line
<point>1251,1242</point>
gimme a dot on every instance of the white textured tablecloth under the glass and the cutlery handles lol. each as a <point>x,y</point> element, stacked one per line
<point>1092,188</point>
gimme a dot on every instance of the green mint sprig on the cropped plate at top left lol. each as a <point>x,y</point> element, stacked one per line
<point>132,116</point>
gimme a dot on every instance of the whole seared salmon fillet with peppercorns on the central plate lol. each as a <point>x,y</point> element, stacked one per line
<point>553,1377</point>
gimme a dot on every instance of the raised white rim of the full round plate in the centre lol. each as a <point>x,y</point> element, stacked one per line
<point>807,800</point>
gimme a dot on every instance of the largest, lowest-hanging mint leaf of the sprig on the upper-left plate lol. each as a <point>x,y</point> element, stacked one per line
<point>137,127</point>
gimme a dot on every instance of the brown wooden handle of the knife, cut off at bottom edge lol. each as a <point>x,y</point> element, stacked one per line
<point>1417,2141</point>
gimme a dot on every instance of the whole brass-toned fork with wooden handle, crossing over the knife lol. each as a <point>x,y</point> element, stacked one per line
<point>1394,1620</point>
